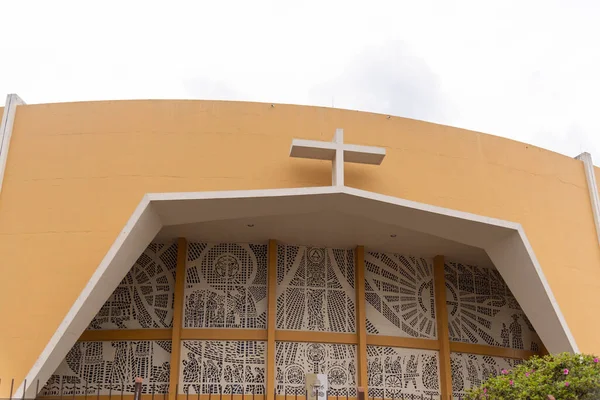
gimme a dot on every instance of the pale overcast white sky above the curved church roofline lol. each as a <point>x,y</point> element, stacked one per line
<point>527,70</point>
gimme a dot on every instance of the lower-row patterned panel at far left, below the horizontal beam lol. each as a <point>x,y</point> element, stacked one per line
<point>111,367</point>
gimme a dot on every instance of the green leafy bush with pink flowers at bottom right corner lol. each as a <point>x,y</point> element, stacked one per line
<point>564,376</point>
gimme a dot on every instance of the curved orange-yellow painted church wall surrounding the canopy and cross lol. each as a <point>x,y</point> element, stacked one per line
<point>76,172</point>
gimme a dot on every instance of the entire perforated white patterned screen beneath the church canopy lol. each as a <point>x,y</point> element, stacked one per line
<point>226,290</point>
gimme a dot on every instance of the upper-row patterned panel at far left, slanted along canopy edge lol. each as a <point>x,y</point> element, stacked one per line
<point>144,298</point>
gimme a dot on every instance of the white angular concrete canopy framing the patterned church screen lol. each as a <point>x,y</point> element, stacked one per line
<point>504,242</point>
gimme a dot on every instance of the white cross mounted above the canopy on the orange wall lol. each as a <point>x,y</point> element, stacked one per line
<point>337,152</point>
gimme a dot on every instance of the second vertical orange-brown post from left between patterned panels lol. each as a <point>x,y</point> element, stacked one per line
<point>271,318</point>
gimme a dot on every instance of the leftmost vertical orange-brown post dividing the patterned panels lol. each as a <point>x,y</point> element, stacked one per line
<point>177,317</point>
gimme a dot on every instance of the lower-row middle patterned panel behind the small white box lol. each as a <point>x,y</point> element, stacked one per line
<point>294,360</point>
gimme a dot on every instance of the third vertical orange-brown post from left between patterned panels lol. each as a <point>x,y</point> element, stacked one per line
<point>361,319</point>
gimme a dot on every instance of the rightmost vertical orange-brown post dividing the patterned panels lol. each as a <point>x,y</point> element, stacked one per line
<point>441,316</point>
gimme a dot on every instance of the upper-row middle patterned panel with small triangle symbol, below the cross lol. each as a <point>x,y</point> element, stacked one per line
<point>315,289</point>
